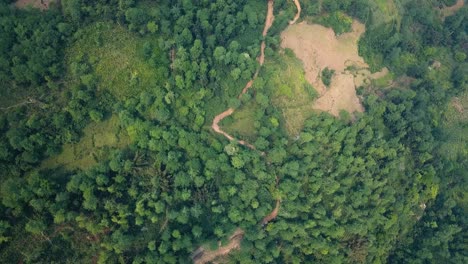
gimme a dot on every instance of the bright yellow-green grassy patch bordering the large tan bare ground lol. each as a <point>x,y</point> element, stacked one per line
<point>292,93</point>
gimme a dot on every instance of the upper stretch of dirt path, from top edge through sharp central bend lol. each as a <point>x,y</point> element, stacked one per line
<point>261,59</point>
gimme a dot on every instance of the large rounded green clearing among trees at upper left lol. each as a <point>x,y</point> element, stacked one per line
<point>126,63</point>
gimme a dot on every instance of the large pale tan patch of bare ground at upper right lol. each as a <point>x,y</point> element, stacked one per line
<point>318,48</point>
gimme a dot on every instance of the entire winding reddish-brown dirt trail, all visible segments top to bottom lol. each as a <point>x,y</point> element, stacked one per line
<point>201,255</point>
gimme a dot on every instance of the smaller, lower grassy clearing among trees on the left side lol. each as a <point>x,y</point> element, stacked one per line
<point>85,153</point>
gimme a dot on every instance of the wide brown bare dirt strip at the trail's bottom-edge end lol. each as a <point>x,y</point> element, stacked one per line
<point>202,255</point>
